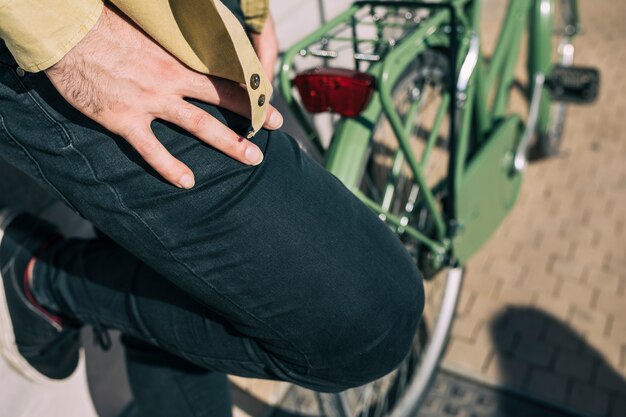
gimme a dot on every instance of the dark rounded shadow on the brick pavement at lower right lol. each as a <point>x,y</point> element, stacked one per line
<point>542,357</point>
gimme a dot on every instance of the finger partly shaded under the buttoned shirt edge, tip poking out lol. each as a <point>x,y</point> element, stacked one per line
<point>226,94</point>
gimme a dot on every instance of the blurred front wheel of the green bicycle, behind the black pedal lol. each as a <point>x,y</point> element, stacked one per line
<point>548,141</point>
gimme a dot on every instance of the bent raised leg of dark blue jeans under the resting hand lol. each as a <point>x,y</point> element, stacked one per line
<point>275,271</point>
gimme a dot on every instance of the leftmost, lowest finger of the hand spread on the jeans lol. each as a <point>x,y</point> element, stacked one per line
<point>154,153</point>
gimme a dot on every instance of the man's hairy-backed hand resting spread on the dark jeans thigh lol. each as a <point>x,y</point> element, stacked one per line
<point>122,79</point>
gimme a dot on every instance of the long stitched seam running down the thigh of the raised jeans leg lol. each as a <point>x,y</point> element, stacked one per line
<point>174,258</point>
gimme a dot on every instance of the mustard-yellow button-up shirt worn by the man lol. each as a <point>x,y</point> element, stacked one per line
<point>203,34</point>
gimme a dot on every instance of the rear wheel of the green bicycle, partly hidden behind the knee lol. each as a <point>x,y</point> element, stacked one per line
<point>388,181</point>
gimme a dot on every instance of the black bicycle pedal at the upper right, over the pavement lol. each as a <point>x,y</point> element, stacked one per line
<point>574,84</point>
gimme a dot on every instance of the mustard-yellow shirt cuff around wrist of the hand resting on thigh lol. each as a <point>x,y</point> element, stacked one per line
<point>40,32</point>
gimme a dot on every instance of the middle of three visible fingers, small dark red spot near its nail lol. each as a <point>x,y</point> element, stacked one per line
<point>211,131</point>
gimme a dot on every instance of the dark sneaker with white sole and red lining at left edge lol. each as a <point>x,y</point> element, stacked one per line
<point>38,344</point>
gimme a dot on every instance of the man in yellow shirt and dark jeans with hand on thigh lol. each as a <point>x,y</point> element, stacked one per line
<point>226,246</point>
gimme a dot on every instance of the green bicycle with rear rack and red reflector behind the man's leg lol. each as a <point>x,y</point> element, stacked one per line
<point>426,140</point>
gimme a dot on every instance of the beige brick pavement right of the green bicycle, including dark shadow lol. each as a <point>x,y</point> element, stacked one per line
<point>543,311</point>
